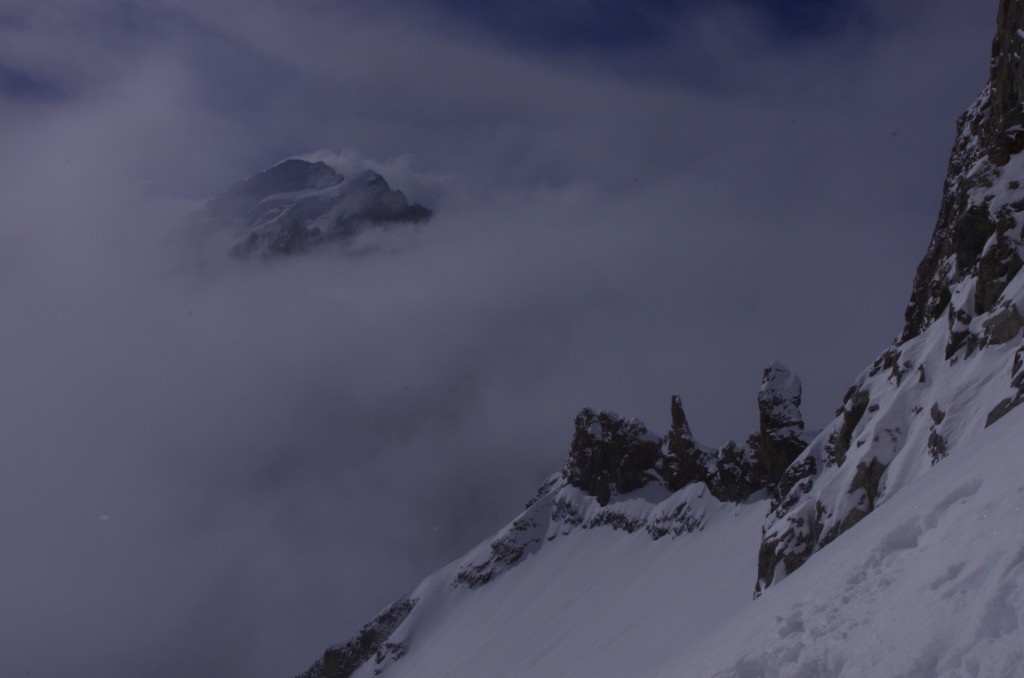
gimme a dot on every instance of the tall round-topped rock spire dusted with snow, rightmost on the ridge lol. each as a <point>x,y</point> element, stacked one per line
<point>782,432</point>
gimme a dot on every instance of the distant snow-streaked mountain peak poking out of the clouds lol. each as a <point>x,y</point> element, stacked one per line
<point>298,205</point>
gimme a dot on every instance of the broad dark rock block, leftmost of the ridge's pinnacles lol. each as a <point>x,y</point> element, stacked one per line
<point>611,455</point>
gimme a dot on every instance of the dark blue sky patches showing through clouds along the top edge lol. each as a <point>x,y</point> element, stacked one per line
<point>598,30</point>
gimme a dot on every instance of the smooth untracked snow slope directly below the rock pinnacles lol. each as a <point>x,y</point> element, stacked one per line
<point>593,604</point>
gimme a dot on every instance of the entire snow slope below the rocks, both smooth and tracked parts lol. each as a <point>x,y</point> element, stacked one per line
<point>931,584</point>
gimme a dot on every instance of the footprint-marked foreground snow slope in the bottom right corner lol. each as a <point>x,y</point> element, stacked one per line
<point>929,585</point>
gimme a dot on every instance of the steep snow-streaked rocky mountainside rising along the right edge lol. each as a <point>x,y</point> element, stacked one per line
<point>957,368</point>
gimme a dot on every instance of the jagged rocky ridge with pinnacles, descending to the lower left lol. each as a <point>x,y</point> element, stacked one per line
<point>619,478</point>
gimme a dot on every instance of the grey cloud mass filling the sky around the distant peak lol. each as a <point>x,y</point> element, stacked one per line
<point>220,469</point>
